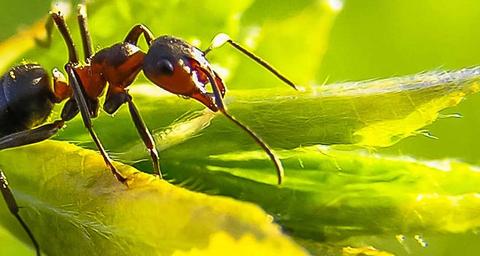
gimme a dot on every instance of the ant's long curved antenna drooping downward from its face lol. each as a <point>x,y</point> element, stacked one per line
<point>221,107</point>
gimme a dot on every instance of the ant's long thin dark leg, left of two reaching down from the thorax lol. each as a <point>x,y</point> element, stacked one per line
<point>78,94</point>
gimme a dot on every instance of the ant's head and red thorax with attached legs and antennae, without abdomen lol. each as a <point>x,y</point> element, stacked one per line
<point>170,63</point>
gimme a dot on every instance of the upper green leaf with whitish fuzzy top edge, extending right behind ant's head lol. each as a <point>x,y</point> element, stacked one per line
<point>369,114</point>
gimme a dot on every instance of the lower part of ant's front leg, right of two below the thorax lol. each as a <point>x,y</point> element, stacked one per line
<point>145,135</point>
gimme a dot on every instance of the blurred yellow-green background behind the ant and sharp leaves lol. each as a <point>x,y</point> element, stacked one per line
<point>369,39</point>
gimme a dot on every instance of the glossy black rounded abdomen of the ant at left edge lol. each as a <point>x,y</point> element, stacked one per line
<point>25,98</point>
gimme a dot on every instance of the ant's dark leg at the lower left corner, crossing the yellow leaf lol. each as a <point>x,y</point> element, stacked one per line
<point>14,209</point>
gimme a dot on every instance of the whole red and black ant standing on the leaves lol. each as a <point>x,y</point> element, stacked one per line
<point>27,96</point>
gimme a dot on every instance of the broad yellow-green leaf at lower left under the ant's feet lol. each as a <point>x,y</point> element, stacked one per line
<point>73,204</point>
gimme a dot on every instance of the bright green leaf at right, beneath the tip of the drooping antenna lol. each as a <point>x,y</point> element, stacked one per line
<point>344,194</point>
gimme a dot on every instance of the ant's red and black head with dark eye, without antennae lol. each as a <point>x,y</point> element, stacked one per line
<point>179,68</point>
